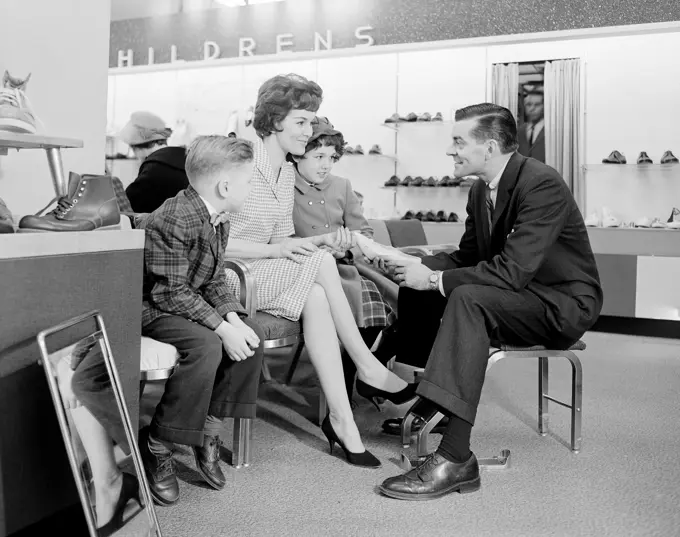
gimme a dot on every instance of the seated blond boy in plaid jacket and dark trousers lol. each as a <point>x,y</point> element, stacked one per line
<point>188,305</point>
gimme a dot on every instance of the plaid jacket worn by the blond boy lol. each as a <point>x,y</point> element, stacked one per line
<point>184,263</point>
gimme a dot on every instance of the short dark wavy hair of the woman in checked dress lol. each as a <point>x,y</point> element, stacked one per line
<point>281,94</point>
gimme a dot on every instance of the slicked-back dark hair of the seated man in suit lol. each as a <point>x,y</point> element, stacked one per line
<point>493,123</point>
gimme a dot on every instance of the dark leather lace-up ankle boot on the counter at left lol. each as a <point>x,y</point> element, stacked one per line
<point>90,204</point>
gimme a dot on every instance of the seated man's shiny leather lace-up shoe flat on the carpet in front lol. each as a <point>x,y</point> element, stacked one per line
<point>434,478</point>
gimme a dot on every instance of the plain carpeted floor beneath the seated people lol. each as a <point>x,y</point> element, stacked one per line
<point>625,481</point>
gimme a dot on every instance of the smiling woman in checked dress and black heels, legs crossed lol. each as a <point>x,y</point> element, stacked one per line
<point>294,277</point>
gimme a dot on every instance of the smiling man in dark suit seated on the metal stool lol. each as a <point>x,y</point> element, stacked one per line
<point>524,274</point>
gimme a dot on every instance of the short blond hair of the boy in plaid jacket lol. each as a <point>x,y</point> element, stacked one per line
<point>209,155</point>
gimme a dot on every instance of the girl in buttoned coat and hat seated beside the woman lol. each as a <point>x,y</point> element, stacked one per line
<point>325,202</point>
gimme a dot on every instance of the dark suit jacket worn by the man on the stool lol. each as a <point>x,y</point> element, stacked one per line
<point>538,242</point>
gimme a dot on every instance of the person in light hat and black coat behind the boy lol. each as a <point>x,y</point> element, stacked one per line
<point>161,173</point>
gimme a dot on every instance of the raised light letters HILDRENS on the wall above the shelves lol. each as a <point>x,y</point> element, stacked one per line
<point>247,46</point>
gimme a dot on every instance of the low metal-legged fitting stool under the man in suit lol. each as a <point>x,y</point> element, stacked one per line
<point>509,351</point>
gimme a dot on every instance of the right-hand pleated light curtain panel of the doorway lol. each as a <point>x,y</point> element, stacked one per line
<point>562,112</point>
